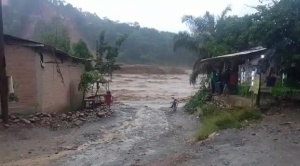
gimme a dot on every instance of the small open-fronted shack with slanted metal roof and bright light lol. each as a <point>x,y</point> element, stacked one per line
<point>244,65</point>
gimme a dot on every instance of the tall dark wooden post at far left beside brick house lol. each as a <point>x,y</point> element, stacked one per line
<point>3,77</point>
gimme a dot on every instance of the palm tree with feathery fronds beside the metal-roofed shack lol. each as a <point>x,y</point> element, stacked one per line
<point>200,38</point>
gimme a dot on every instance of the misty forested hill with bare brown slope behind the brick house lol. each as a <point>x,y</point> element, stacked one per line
<point>26,18</point>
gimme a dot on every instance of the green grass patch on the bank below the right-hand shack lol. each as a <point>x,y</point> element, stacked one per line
<point>215,119</point>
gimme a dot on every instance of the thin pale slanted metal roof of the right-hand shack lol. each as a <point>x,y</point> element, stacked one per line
<point>251,51</point>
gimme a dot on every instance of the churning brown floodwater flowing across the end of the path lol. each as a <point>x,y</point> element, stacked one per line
<point>154,88</point>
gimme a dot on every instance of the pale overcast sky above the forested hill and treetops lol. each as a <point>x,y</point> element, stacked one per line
<point>164,15</point>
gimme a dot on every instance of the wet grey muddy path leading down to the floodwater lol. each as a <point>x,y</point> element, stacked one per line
<point>150,134</point>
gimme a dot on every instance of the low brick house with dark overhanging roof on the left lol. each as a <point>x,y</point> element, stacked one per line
<point>45,79</point>
